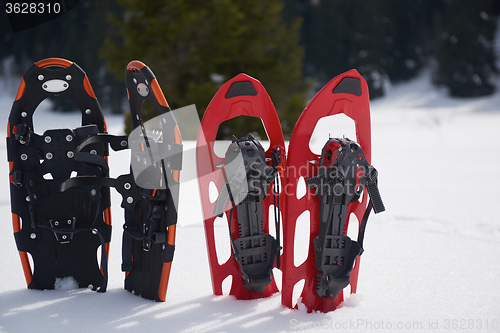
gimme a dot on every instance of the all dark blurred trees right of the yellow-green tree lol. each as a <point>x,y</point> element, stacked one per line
<point>392,40</point>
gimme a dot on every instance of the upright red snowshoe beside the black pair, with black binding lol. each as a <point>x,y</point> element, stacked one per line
<point>247,181</point>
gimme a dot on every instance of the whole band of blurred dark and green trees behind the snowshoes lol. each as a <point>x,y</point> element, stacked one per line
<point>194,46</point>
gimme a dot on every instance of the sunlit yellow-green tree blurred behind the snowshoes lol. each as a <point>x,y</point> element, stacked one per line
<point>194,46</point>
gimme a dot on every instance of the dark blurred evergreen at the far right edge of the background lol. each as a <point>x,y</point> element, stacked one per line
<point>465,50</point>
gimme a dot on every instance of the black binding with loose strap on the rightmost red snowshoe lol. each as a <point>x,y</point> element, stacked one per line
<point>335,185</point>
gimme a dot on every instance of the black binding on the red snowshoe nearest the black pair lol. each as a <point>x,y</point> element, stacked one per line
<point>248,180</point>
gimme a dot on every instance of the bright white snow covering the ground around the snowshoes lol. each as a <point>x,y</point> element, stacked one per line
<point>430,261</point>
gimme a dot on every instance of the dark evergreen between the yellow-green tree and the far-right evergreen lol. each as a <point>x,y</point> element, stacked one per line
<point>378,38</point>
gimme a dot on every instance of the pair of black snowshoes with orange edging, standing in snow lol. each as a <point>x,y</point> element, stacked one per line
<point>60,184</point>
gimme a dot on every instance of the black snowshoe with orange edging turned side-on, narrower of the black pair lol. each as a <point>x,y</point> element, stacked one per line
<point>151,192</point>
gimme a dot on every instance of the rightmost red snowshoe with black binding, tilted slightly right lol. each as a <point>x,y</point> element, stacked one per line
<point>336,180</point>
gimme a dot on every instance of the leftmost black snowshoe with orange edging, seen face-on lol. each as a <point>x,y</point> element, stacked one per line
<point>59,219</point>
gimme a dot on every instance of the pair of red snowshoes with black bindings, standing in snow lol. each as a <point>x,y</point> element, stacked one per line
<point>248,182</point>
